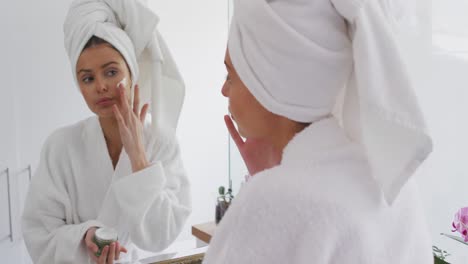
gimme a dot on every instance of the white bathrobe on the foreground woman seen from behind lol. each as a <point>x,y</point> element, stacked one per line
<point>321,206</point>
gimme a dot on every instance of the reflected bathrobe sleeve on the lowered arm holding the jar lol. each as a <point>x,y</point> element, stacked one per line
<point>50,232</point>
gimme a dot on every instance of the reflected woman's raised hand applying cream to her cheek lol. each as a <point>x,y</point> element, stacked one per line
<point>131,127</point>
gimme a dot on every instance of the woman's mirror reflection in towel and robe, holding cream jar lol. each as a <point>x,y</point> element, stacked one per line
<point>117,169</point>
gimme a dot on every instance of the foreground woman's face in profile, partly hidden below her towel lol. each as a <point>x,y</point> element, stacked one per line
<point>253,120</point>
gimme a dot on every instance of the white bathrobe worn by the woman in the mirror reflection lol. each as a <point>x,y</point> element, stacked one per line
<point>68,195</point>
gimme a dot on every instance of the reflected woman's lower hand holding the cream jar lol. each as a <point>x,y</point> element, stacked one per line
<point>108,254</point>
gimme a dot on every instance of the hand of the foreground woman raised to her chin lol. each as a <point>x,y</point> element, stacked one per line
<point>258,154</point>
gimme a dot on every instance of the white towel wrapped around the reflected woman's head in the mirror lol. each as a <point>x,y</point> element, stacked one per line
<point>131,28</point>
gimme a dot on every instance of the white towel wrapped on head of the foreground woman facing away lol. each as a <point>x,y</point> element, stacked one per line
<point>296,56</point>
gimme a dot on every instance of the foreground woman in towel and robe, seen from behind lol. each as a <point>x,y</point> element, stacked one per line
<point>333,135</point>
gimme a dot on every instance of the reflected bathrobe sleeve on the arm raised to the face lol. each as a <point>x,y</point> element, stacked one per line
<point>153,203</point>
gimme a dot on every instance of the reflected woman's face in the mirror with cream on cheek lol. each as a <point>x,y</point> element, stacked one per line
<point>99,70</point>
